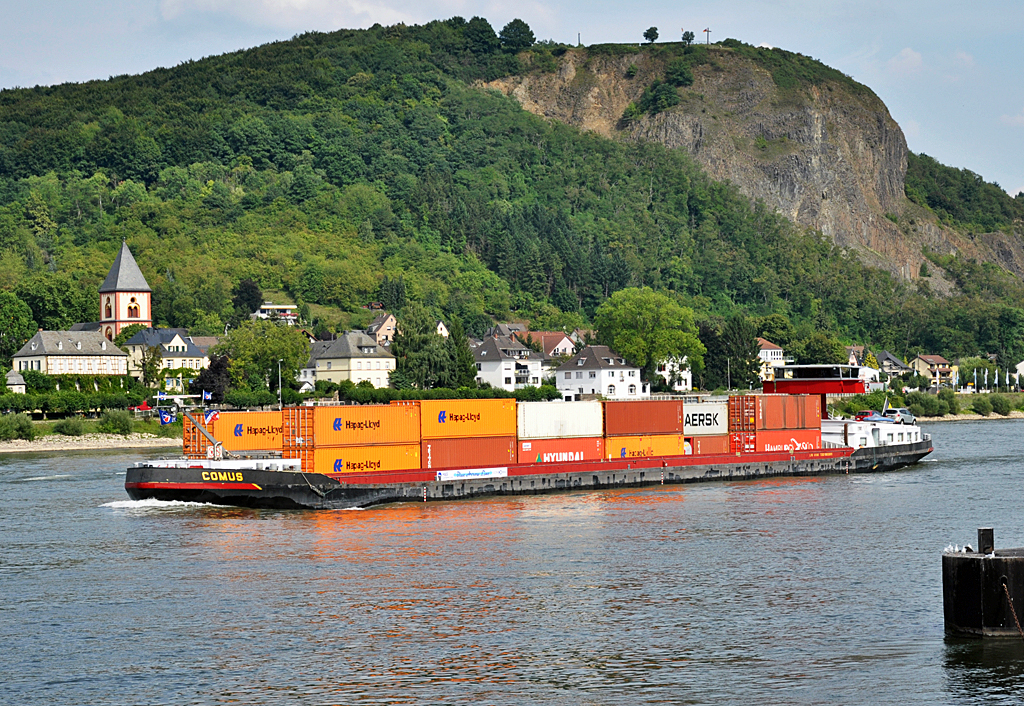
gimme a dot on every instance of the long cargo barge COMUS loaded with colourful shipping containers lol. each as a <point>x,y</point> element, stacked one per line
<point>346,456</point>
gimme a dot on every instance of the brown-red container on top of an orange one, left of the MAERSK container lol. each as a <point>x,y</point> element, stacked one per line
<point>645,430</point>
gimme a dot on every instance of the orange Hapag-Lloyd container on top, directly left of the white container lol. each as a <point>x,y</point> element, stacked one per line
<point>467,419</point>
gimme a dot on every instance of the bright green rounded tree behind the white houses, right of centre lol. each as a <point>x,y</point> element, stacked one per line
<point>648,327</point>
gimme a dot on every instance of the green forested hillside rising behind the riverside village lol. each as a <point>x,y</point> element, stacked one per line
<point>323,165</point>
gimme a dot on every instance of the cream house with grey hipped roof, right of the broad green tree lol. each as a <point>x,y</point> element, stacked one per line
<point>353,356</point>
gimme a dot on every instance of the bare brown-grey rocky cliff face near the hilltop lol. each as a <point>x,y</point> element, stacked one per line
<point>827,156</point>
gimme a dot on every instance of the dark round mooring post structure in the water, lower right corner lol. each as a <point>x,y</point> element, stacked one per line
<point>984,592</point>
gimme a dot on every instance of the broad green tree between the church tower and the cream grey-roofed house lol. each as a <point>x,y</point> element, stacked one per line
<point>254,349</point>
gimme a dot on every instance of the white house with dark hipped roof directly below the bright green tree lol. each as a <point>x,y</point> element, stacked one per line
<point>600,370</point>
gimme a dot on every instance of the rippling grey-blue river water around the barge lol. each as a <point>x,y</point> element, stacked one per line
<point>802,592</point>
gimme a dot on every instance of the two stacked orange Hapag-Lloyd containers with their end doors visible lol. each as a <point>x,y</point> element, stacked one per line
<point>356,439</point>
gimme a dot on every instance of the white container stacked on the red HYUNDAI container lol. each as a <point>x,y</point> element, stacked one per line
<point>560,432</point>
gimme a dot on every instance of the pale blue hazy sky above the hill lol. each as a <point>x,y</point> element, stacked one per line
<point>950,72</point>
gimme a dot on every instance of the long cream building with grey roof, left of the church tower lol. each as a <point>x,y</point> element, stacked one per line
<point>60,353</point>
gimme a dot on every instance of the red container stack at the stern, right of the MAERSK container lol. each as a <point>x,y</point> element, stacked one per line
<point>762,424</point>
